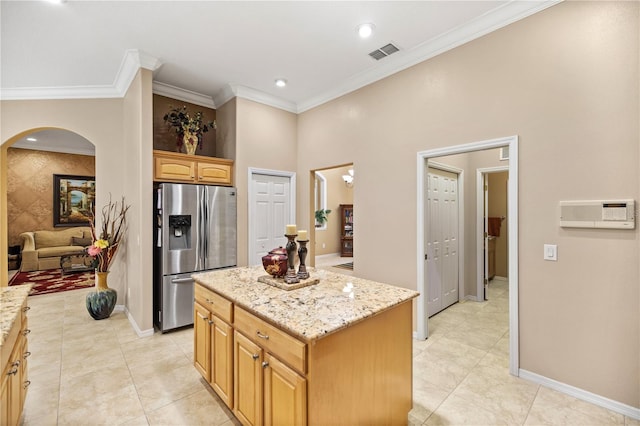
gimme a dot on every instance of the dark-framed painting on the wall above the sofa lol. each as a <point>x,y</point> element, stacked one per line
<point>73,200</point>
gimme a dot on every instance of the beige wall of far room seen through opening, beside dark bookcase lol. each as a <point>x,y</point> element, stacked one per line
<point>337,193</point>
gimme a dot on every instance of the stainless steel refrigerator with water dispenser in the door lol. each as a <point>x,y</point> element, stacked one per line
<point>194,231</point>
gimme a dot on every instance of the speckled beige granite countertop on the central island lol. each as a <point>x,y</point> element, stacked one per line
<point>312,312</point>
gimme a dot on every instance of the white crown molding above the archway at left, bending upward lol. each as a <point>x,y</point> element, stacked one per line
<point>132,61</point>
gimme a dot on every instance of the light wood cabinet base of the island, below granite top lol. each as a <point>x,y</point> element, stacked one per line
<point>279,379</point>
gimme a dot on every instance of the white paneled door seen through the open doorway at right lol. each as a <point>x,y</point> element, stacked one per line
<point>442,240</point>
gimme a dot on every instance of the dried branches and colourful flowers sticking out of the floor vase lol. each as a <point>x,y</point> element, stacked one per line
<point>105,245</point>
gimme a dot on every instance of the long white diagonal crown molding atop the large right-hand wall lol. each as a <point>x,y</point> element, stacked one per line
<point>498,18</point>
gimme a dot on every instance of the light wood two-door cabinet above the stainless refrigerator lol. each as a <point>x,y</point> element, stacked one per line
<point>182,168</point>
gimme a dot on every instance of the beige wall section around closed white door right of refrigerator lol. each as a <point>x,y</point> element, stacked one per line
<point>266,139</point>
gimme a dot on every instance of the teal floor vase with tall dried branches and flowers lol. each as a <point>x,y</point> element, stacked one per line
<point>104,247</point>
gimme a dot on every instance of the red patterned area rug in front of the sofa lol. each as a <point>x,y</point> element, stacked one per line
<point>50,281</point>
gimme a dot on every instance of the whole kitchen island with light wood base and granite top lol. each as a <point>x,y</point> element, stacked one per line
<point>336,352</point>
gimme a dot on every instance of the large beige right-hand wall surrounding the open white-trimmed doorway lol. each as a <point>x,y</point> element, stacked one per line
<point>566,81</point>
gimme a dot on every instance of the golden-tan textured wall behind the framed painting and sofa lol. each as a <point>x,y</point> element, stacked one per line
<point>30,187</point>
